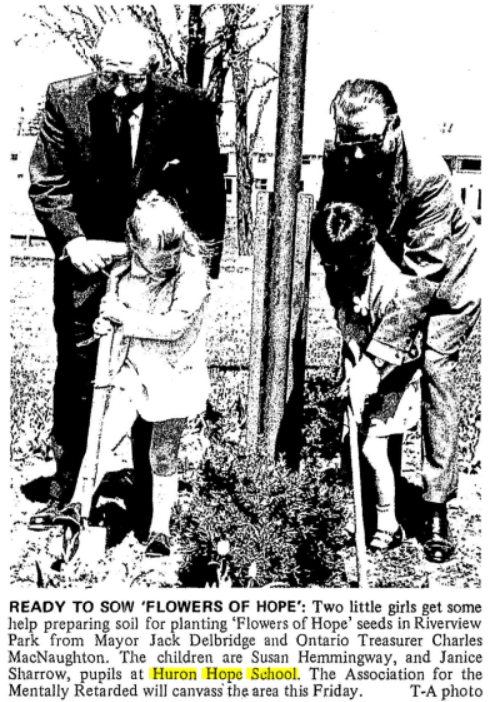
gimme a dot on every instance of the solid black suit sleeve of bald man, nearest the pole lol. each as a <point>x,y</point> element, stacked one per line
<point>205,184</point>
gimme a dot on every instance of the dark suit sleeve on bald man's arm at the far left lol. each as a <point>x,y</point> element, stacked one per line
<point>51,189</point>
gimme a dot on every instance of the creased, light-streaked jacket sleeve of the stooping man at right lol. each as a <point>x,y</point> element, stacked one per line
<point>426,248</point>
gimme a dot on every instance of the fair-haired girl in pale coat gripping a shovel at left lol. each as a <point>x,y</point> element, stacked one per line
<point>159,372</point>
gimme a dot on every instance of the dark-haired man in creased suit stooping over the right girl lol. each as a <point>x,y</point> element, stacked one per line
<point>425,231</point>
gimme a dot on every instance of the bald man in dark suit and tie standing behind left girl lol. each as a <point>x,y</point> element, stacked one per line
<point>106,139</point>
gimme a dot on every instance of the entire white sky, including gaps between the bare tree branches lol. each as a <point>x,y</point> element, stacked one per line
<point>430,53</point>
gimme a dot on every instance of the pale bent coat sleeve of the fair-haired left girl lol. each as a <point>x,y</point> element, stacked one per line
<point>191,293</point>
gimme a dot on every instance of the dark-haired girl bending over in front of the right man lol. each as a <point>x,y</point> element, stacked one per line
<point>362,284</point>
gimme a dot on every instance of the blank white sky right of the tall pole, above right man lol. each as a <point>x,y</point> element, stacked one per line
<point>431,55</point>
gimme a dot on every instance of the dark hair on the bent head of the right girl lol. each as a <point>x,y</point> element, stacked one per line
<point>344,237</point>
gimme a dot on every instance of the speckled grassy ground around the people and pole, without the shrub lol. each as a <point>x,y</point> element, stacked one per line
<point>33,357</point>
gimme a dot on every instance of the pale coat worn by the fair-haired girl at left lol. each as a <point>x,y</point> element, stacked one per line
<point>159,355</point>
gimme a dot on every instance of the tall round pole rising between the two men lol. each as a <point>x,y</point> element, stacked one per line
<point>289,146</point>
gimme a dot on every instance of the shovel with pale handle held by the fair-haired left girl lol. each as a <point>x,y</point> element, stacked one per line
<point>88,542</point>
